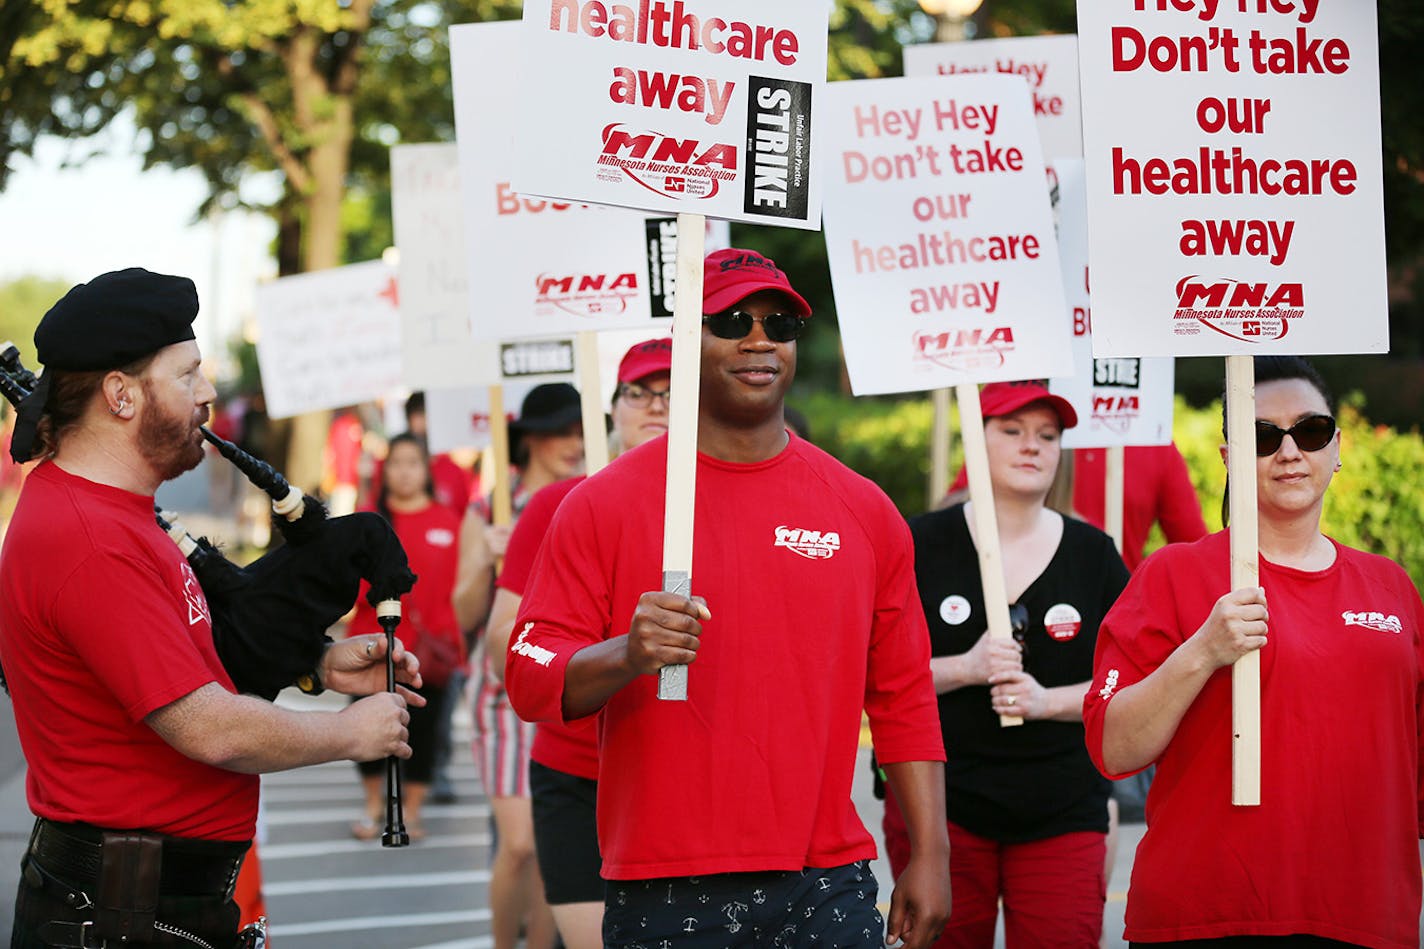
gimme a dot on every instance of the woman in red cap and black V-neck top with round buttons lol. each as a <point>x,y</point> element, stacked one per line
<point>1027,811</point>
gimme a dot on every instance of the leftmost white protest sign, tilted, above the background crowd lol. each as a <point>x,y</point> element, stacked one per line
<point>330,338</point>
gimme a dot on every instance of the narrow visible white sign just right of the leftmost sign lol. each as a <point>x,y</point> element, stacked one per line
<point>436,347</point>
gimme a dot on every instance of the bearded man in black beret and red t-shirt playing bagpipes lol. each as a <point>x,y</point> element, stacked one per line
<point>143,756</point>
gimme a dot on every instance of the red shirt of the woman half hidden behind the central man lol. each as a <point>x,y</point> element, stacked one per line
<point>570,747</point>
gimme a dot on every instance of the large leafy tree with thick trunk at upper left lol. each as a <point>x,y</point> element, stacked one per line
<point>315,90</point>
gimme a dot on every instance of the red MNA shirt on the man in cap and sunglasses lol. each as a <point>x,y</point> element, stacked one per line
<point>807,569</point>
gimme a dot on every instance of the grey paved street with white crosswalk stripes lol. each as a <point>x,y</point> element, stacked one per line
<point>328,891</point>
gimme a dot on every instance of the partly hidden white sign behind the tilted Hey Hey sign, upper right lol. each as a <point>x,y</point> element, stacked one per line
<point>1047,63</point>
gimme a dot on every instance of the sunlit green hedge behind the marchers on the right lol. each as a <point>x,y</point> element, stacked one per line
<point>1376,502</point>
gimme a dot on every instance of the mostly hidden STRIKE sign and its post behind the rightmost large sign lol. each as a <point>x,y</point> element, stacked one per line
<point>1120,403</point>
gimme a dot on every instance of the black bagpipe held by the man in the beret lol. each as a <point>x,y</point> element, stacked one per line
<point>270,619</point>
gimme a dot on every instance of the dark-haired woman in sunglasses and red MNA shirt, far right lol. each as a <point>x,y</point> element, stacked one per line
<point>1331,857</point>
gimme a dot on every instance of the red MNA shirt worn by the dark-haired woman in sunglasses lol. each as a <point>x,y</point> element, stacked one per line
<point>1332,850</point>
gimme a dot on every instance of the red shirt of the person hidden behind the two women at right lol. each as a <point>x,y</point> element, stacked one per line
<point>1156,488</point>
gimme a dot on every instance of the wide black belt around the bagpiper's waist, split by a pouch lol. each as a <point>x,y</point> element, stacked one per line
<point>190,868</point>
